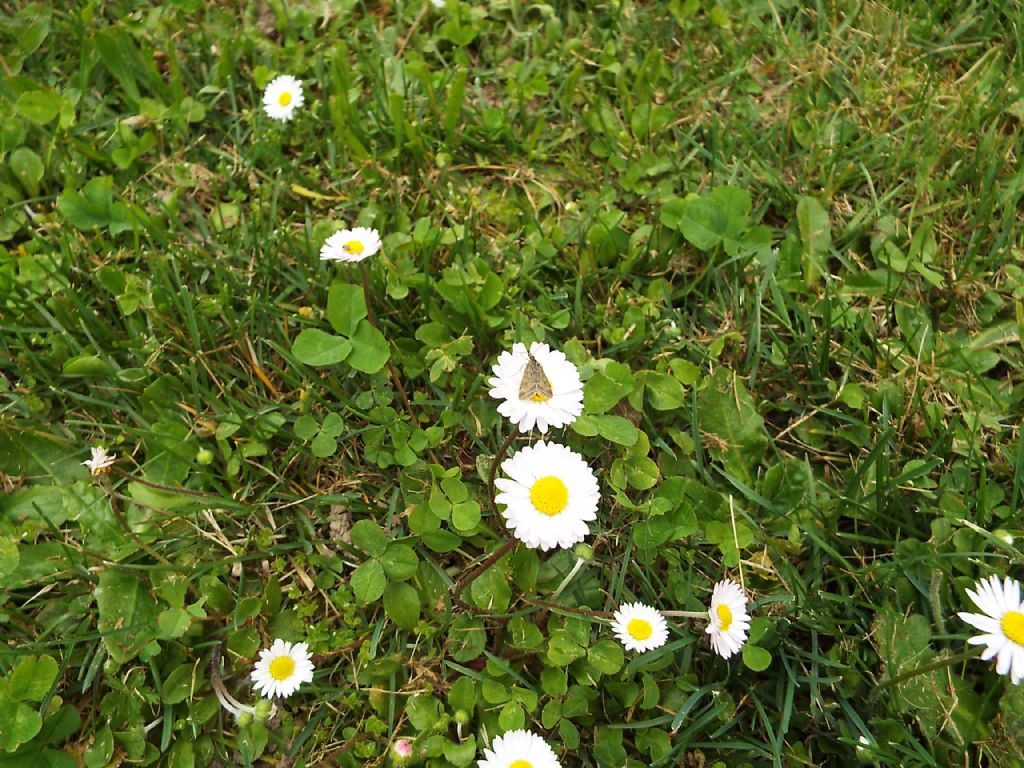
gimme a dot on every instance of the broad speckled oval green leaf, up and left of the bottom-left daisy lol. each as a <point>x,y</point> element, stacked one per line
<point>127,615</point>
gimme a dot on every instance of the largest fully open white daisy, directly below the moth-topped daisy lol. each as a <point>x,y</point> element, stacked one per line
<point>549,496</point>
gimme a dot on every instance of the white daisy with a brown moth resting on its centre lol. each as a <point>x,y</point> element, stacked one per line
<point>539,387</point>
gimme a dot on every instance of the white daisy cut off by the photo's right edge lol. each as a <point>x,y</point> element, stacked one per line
<point>1002,624</point>
